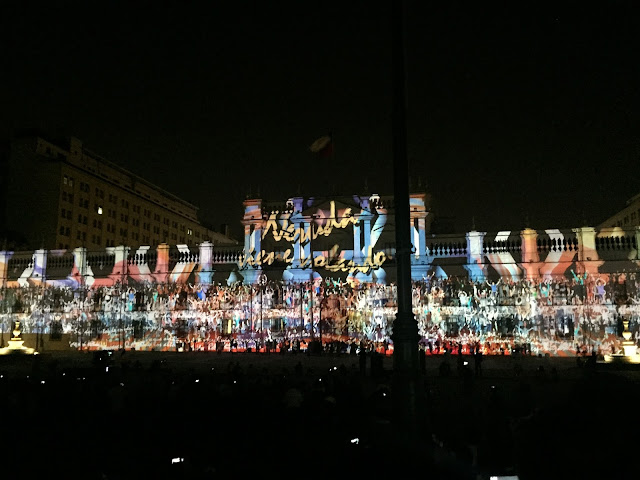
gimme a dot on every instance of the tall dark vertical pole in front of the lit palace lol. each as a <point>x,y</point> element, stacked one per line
<point>407,383</point>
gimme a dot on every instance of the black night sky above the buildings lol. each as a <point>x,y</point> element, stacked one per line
<point>515,109</point>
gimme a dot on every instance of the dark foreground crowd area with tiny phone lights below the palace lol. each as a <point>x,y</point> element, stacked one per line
<point>293,415</point>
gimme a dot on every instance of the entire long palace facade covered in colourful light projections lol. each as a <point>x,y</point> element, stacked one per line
<point>324,269</point>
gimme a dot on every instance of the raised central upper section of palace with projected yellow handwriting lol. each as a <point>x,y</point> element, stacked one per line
<point>351,238</point>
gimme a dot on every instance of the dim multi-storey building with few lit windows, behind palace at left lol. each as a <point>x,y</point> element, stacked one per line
<point>61,196</point>
